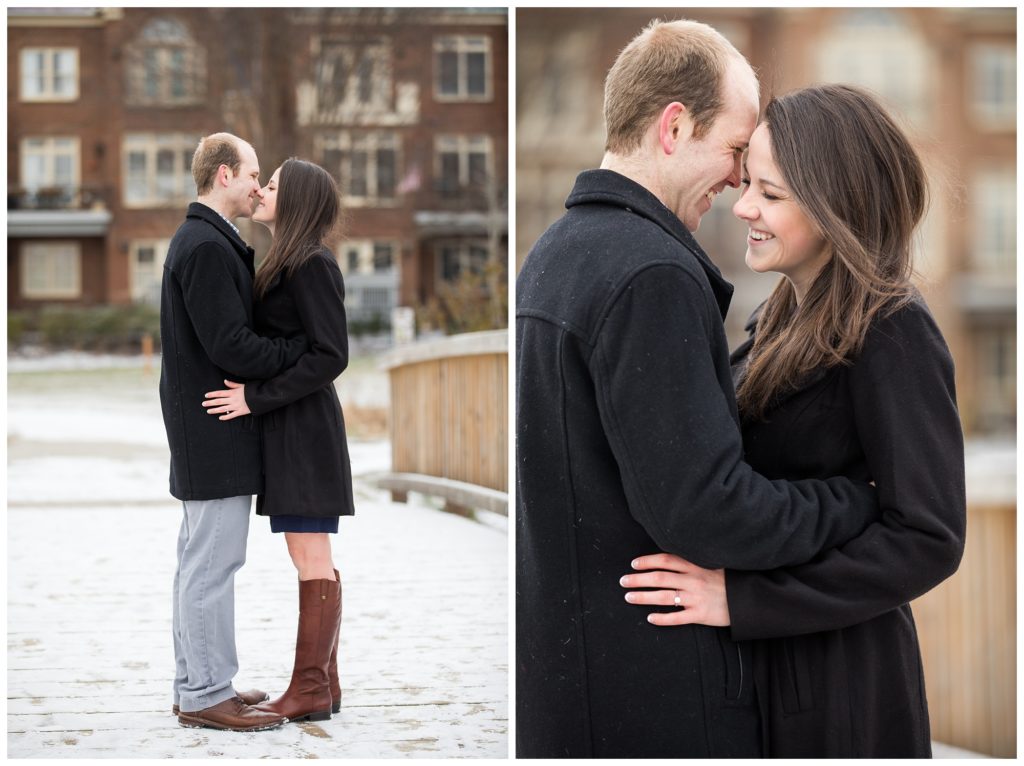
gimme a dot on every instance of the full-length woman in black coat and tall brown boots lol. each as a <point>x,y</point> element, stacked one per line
<point>308,479</point>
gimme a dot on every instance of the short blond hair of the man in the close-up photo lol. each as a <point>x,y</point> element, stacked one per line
<point>681,61</point>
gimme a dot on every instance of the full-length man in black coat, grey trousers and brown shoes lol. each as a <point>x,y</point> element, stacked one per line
<point>217,467</point>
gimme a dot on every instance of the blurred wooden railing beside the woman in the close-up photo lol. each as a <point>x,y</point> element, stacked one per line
<point>968,633</point>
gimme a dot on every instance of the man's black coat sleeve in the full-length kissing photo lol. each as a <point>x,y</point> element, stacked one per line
<point>222,321</point>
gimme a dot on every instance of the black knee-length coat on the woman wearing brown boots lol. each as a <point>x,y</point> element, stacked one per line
<point>306,452</point>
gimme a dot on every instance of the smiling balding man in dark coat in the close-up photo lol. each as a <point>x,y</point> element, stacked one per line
<point>628,438</point>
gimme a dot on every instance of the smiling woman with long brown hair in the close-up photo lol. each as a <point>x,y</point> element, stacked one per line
<point>845,374</point>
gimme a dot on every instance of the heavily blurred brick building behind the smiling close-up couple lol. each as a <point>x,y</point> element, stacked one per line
<point>950,73</point>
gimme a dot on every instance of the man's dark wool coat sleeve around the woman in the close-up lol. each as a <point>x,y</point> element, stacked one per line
<point>672,430</point>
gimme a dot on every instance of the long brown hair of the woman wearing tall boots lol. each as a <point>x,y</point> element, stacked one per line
<point>308,219</point>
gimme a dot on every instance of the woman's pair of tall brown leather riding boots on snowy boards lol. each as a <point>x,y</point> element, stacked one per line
<point>309,695</point>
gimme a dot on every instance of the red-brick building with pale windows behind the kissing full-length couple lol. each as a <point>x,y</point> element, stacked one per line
<point>407,108</point>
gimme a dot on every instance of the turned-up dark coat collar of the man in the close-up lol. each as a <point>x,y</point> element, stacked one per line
<point>610,188</point>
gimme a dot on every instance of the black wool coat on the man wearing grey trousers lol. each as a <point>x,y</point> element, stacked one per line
<point>206,320</point>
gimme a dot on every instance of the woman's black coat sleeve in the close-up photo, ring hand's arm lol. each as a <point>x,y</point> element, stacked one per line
<point>906,412</point>
